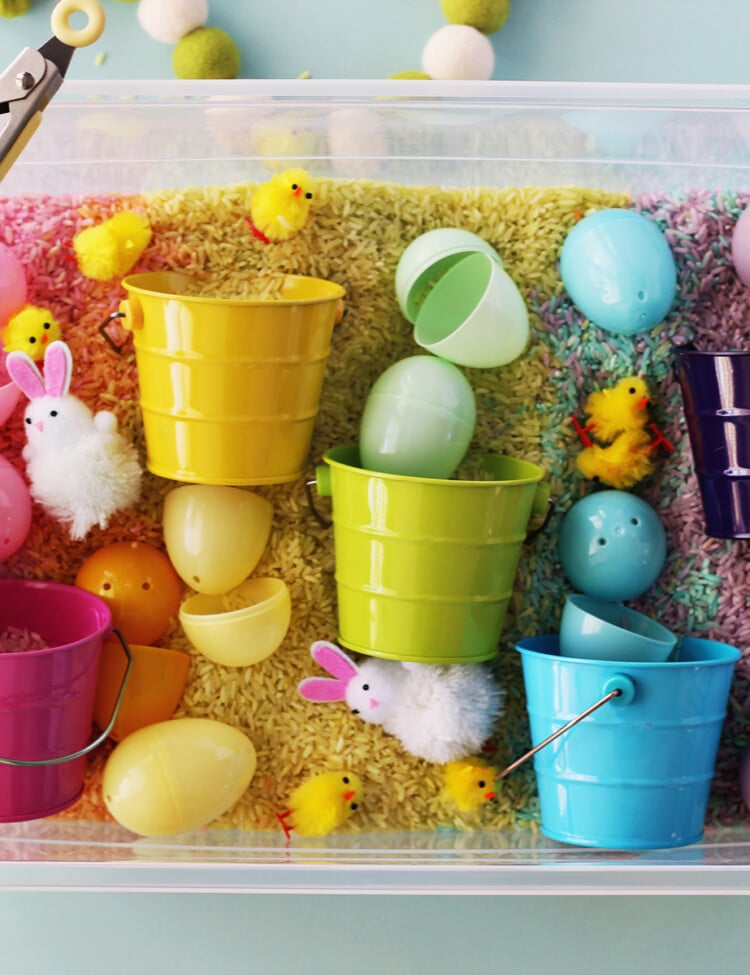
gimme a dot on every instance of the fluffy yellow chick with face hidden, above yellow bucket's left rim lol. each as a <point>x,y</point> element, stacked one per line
<point>109,250</point>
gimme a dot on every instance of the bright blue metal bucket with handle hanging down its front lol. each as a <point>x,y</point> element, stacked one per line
<point>636,774</point>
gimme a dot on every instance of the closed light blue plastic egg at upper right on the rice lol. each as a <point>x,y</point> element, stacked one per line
<point>618,269</point>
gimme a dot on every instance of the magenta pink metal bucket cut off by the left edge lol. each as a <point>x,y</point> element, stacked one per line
<point>47,696</point>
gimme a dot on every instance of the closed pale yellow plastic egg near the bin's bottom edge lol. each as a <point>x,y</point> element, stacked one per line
<point>176,776</point>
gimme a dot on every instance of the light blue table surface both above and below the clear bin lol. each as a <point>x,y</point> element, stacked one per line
<point>108,931</point>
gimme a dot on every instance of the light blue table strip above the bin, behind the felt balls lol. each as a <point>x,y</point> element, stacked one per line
<point>561,40</point>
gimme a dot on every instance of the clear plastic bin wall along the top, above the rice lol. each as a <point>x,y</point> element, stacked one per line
<point>125,138</point>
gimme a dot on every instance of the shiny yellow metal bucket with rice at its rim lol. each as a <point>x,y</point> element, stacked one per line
<point>229,388</point>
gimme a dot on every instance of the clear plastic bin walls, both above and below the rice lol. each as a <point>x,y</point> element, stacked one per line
<point>126,138</point>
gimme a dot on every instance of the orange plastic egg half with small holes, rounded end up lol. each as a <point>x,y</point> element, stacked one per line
<point>140,586</point>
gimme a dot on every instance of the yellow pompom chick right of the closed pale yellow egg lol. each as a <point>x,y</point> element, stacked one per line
<point>322,803</point>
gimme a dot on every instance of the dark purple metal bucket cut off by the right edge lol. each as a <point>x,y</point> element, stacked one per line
<point>716,399</point>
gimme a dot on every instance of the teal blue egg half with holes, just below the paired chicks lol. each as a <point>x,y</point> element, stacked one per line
<point>612,545</point>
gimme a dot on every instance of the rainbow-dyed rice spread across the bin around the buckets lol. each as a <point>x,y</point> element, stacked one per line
<point>356,236</point>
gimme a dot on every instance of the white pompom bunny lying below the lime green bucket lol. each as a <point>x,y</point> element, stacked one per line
<point>438,712</point>
